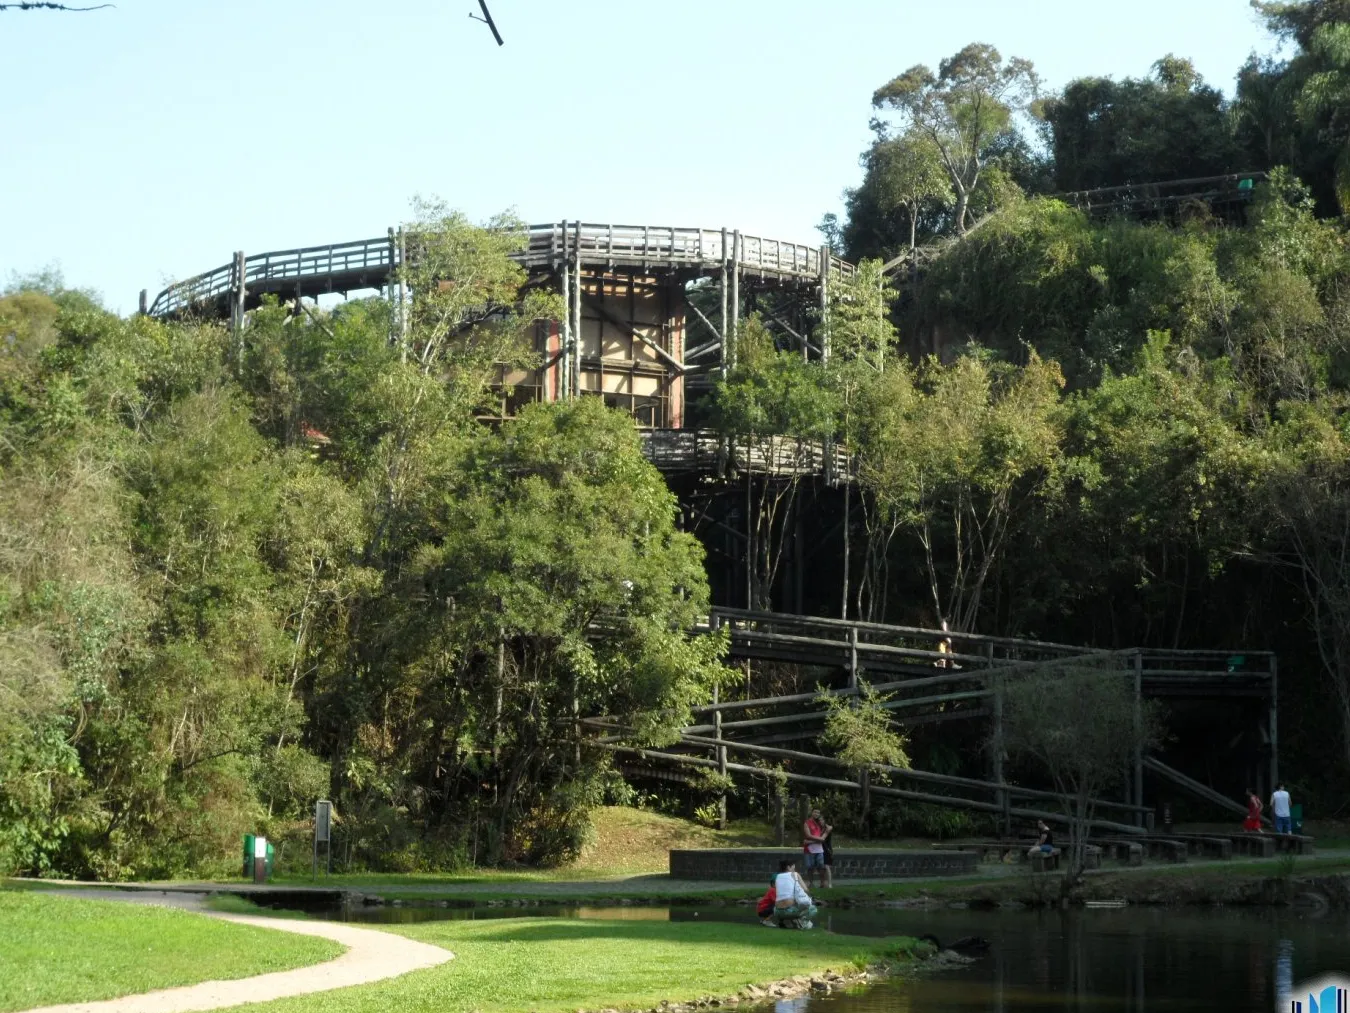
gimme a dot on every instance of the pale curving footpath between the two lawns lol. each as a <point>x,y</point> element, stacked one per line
<point>371,957</point>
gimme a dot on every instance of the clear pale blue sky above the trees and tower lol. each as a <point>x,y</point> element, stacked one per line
<point>148,142</point>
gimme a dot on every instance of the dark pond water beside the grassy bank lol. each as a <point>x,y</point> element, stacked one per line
<point>1128,960</point>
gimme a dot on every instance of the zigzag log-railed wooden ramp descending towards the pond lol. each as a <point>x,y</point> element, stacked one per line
<point>929,676</point>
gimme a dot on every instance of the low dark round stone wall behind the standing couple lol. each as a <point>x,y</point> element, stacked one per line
<point>761,865</point>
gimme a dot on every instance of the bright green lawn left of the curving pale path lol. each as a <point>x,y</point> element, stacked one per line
<point>70,950</point>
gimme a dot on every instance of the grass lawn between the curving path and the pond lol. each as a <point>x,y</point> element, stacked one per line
<point>560,966</point>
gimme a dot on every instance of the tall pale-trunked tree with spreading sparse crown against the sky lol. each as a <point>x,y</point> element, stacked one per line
<point>962,110</point>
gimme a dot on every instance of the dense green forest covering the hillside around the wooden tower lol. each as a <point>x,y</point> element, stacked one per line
<point>240,577</point>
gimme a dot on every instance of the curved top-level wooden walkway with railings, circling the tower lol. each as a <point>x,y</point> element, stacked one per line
<point>368,264</point>
